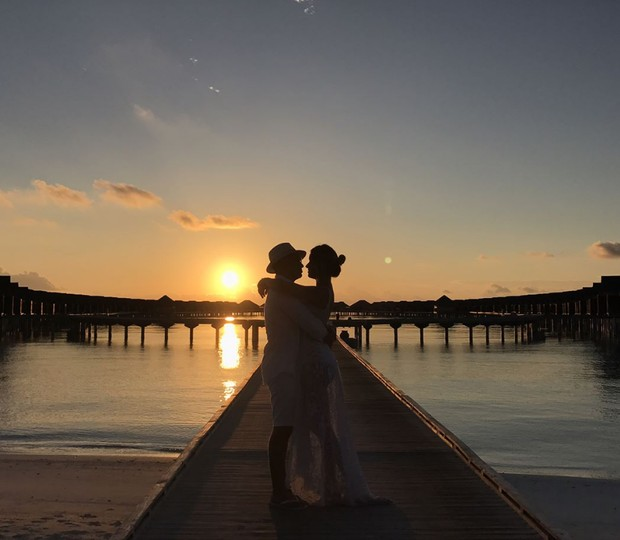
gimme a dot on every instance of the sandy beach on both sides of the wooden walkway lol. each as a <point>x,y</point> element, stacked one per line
<point>91,496</point>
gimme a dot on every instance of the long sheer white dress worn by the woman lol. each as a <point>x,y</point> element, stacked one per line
<point>324,468</point>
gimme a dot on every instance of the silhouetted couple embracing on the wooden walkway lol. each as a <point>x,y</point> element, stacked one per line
<point>312,459</point>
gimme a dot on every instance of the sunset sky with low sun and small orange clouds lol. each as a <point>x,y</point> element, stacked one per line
<point>459,147</point>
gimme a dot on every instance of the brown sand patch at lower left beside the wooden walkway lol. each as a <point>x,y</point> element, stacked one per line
<point>72,497</point>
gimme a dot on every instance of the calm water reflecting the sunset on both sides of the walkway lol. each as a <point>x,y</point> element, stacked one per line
<point>546,408</point>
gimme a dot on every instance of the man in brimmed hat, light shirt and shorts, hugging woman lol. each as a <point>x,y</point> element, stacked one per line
<point>285,319</point>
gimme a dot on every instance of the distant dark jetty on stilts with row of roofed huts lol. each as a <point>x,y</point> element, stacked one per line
<point>587,313</point>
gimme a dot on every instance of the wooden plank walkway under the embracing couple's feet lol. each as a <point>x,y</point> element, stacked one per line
<point>219,487</point>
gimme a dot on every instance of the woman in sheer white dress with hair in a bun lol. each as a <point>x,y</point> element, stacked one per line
<point>323,465</point>
